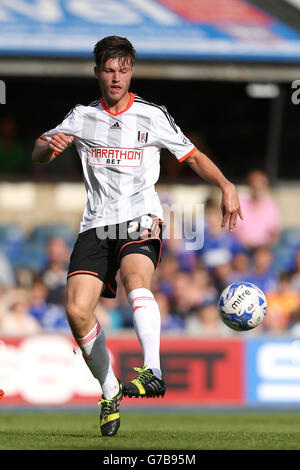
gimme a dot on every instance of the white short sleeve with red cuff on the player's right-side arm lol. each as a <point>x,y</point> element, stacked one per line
<point>170,136</point>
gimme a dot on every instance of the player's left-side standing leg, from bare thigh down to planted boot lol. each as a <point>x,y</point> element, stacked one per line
<point>83,293</point>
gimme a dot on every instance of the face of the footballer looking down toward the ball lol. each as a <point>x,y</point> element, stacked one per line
<point>114,78</point>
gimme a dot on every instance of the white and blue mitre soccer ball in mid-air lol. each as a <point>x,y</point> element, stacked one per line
<point>242,306</point>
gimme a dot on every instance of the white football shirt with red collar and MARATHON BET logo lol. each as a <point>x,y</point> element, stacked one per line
<point>120,155</point>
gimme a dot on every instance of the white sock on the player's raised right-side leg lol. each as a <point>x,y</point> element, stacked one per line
<point>147,324</point>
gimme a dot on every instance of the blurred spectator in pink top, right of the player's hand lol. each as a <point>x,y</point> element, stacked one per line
<point>261,222</point>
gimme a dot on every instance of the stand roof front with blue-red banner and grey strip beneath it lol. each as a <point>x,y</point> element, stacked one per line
<point>229,39</point>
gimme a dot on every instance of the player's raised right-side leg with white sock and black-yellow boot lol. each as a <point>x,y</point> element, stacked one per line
<point>136,271</point>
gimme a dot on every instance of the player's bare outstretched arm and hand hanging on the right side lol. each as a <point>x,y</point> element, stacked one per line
<point>230,204</point>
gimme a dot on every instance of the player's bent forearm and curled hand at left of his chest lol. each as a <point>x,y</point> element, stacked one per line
<point>45,152</point>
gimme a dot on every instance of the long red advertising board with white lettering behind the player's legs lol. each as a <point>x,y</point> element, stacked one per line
<point>43,370</point>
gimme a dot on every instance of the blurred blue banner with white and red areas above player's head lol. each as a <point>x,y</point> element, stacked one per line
<point>159,29</point>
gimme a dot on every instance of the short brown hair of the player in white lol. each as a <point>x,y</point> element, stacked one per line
<point>112,47</point>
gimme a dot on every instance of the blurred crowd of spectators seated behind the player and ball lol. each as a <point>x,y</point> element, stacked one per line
<point>187,283</point>
